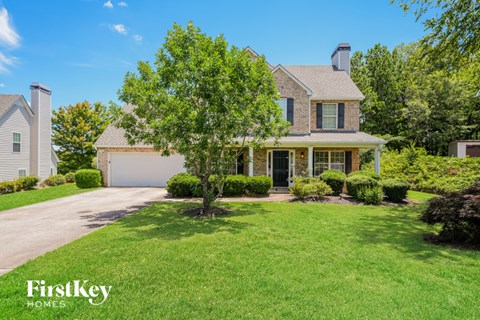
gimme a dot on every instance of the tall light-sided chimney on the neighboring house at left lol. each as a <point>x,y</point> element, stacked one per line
<point>41,145</point>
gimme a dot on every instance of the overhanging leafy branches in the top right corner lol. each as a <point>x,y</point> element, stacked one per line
<point>454,33</point>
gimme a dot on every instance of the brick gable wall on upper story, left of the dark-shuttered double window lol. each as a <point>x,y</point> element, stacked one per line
<point>288,88</point>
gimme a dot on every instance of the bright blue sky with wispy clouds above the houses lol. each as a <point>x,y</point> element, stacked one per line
<point>82,49</point>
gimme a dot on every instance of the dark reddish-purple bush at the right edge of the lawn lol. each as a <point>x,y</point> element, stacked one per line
<point>459,215</point>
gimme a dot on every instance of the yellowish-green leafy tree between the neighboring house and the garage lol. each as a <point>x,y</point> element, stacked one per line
<point>75,129</point>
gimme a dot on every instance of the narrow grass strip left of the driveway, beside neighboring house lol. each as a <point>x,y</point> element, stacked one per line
<point>25,198</point>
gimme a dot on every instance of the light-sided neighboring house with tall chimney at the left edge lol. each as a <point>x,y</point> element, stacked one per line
<point>25,135</point>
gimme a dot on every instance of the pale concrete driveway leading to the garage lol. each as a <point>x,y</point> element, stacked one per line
<point>28,232</point>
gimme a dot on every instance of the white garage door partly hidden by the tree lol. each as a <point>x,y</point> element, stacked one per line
<point>143,169</point>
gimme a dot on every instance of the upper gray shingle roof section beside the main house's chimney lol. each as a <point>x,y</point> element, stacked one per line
<point>326,82</point>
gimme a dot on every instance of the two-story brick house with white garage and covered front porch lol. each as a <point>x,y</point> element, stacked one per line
<point>322,104</point>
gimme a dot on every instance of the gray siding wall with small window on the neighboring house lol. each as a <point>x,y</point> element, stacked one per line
<point>17,119</point>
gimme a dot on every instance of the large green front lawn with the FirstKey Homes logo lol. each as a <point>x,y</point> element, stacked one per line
<point>262,261</point>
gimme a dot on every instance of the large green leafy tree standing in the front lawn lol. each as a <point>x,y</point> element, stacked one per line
<point>200,99</point>
